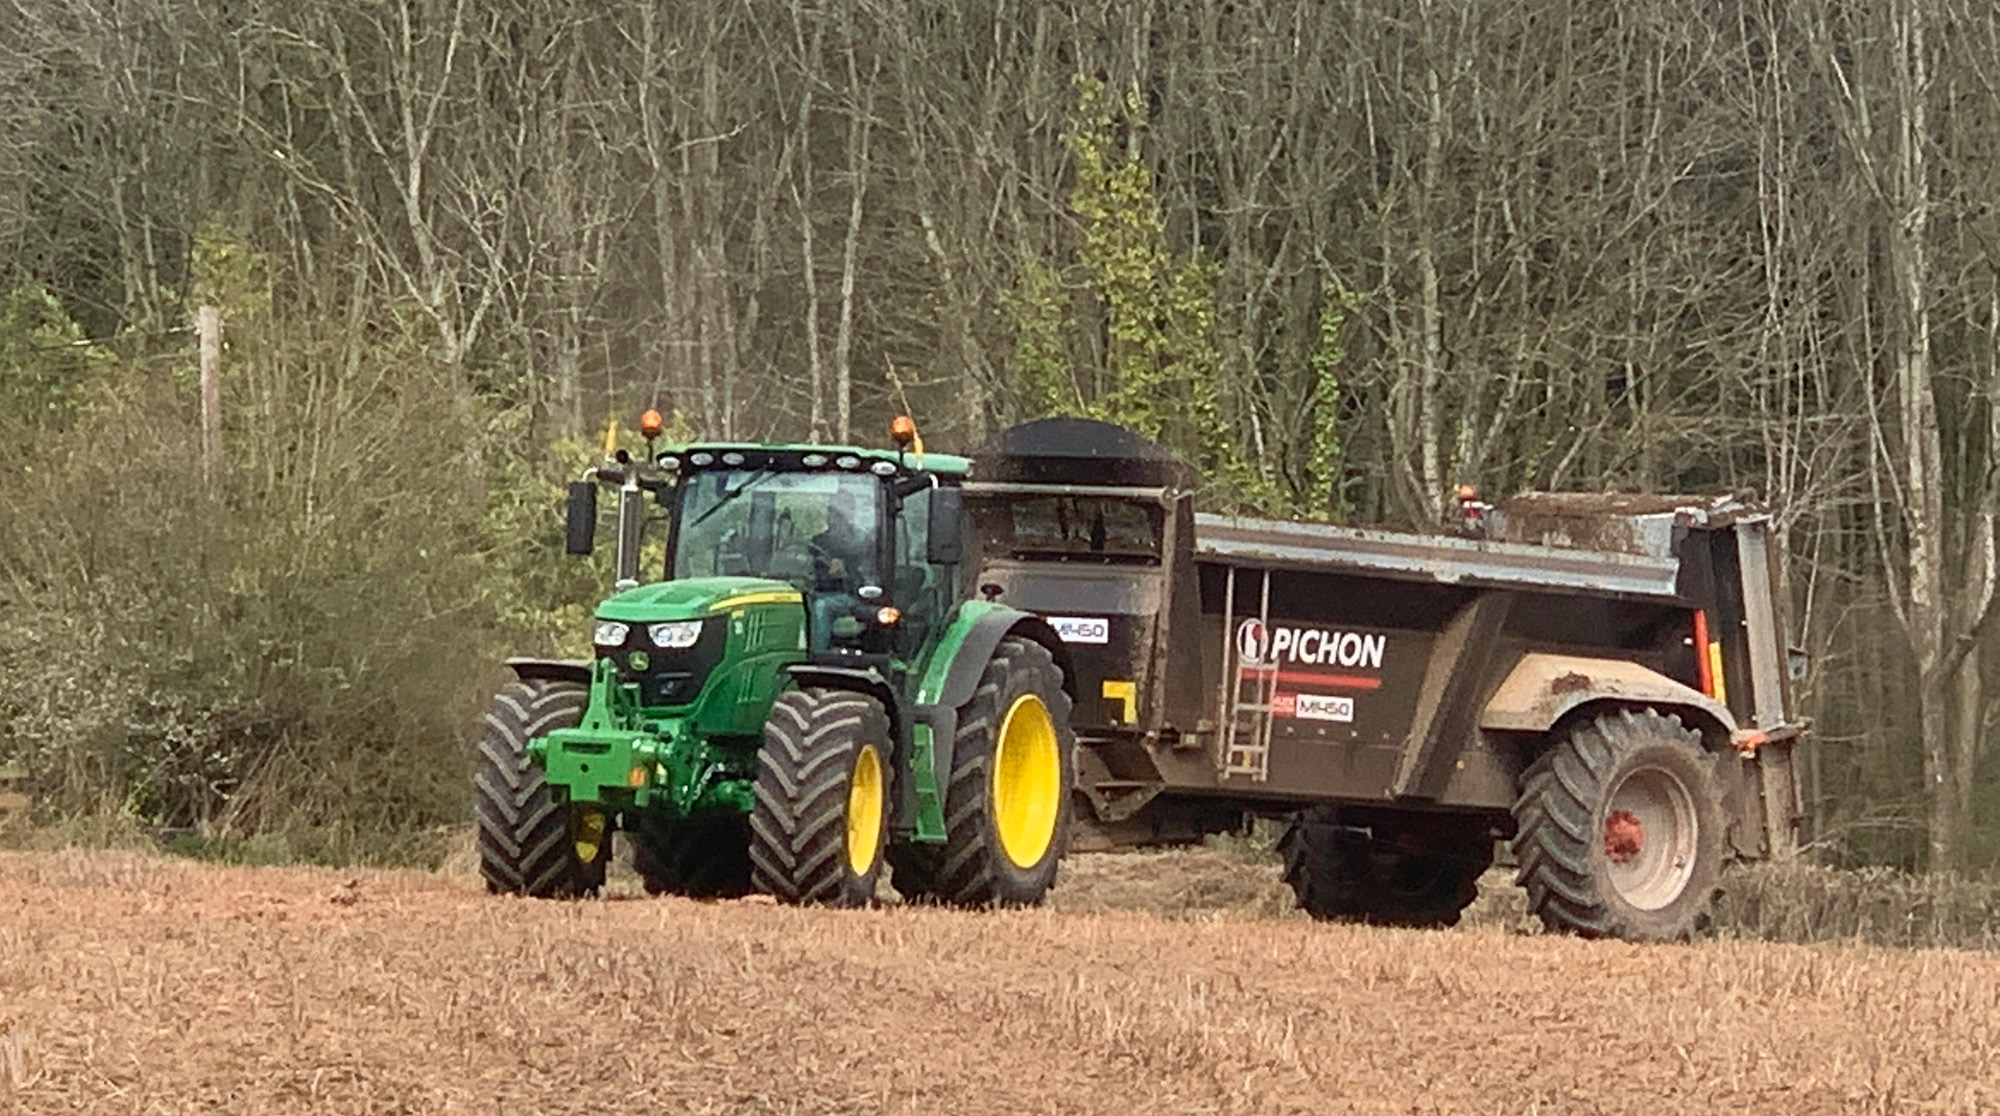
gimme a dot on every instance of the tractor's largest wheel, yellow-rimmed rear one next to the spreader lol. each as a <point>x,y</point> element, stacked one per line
<point>1007,807</point>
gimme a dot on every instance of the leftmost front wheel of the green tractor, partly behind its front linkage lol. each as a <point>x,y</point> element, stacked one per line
<point>529,843</point>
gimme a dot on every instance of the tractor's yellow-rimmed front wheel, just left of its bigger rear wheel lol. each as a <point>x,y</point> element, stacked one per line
<point>821,815</point>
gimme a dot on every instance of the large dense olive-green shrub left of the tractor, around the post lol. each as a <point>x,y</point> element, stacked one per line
<point>301,647</point>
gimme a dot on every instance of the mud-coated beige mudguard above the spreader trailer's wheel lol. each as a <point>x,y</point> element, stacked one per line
<point>1545,689</point>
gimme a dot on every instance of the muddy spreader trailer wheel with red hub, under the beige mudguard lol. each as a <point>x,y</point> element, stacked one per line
<point>1621,831</point>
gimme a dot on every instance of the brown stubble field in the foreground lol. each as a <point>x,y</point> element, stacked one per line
<point>147,985</point>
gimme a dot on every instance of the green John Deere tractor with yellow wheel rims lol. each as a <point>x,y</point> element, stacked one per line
<point>813,691</point>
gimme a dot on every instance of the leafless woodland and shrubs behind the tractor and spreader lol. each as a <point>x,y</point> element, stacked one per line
<point>1347,255</point>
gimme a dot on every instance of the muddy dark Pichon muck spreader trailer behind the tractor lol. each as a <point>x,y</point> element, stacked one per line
<point>1599,679</point>
